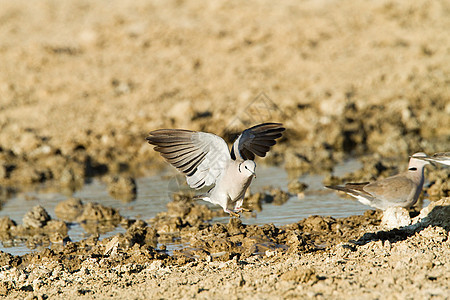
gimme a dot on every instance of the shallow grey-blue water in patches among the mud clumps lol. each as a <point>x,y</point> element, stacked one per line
<point>154,193</point>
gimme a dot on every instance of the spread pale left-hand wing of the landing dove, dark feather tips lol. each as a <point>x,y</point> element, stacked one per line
<point>201,156</point>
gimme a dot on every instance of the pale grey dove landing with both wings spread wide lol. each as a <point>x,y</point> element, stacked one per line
<point>205,159</point>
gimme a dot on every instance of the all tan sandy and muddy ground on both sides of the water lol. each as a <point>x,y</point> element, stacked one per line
<point>83,82</point>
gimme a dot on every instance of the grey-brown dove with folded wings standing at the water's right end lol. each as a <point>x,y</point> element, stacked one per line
<point>401,190</point>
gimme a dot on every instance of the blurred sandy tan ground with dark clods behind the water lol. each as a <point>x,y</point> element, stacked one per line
<point>83,82</point>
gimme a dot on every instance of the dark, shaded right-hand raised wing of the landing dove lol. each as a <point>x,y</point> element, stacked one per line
<point>256,140</point>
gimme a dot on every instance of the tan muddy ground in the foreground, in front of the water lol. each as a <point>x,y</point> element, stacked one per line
<point>318,257</point>
